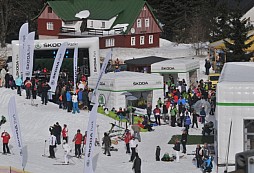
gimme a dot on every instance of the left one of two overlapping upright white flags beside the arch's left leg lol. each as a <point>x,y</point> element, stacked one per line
<point>23,32</point>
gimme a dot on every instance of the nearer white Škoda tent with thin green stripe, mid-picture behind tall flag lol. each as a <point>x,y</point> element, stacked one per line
<point>143,88</point>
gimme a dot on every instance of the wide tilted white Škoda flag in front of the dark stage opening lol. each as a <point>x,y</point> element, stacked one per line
<point>56,66</point>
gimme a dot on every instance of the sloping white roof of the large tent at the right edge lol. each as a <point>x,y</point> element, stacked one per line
<point>237,72</point>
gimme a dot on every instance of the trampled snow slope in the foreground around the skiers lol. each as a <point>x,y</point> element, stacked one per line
<point>35,122</point>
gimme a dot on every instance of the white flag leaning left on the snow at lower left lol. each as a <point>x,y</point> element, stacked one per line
<point>16,131</point>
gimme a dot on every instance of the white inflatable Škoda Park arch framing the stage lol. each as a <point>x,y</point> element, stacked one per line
<point>91,43</point>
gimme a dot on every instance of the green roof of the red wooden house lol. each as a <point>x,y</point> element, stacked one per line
<point>125,11</point>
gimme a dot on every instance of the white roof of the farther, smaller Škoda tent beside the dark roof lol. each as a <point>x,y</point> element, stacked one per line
<point>182,65</point>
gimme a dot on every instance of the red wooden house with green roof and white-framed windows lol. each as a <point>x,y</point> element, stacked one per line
<point>118,23</point>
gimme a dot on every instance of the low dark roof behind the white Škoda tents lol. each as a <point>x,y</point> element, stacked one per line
<point>145,60</point>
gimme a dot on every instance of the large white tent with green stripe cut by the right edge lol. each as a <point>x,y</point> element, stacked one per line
<point>235,101</point>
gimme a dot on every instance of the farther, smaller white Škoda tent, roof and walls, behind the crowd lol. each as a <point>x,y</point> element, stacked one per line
<point>178,68</point>
